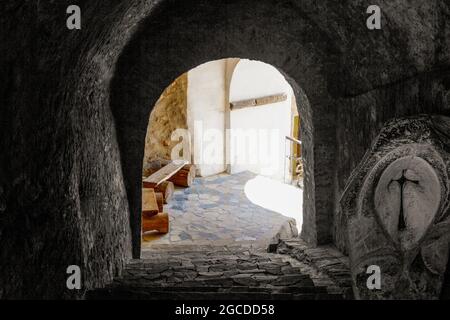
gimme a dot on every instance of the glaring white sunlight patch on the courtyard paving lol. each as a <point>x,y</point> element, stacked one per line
<point>276,196</point>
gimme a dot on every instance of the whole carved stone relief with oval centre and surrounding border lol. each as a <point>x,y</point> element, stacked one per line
<point>397,208</point>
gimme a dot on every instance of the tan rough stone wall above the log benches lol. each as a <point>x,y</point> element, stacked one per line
<point>168,115</point>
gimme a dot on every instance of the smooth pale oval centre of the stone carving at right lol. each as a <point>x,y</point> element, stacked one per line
<point>407,199</point>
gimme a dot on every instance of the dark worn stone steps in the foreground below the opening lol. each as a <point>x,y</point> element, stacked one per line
<point>216,273</point>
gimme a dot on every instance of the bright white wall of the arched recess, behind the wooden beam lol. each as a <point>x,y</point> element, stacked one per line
<point>257,139</point>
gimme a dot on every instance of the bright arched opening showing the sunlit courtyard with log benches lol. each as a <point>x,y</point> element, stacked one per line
<point>235,124</point>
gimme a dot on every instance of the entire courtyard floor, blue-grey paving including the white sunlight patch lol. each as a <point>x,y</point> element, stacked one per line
<point>238,208</point>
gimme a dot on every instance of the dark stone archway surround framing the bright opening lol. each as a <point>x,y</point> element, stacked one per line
<point>163,47</point>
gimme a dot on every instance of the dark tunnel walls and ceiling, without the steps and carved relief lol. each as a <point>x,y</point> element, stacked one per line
<point>74,106</point>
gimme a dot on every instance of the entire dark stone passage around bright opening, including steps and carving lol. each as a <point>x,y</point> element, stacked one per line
<point>375,133</point>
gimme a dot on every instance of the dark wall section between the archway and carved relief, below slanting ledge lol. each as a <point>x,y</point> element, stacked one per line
<point>362,117</point>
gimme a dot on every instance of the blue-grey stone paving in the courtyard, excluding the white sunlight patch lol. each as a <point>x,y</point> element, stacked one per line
<point>215,209</point>
